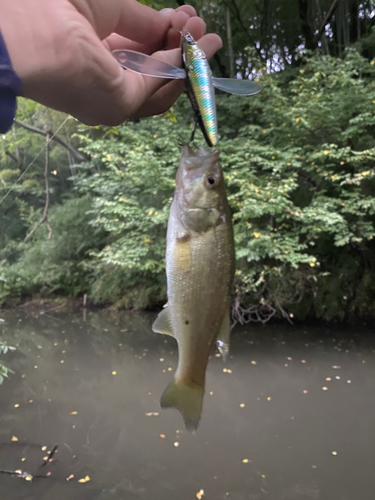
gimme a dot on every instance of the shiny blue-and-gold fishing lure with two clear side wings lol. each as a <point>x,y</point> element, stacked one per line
<point>199,82</point>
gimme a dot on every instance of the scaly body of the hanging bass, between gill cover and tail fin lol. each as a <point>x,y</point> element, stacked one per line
<point>197,316</point>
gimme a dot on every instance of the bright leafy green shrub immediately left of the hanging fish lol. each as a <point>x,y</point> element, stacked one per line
<point>130,202</point>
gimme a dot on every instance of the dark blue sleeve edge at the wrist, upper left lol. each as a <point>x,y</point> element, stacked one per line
<point>10,87</point>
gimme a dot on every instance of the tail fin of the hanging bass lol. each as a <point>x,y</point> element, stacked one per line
<point>186,399</point>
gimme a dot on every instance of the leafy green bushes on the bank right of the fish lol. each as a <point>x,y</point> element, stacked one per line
<point>303,186</point>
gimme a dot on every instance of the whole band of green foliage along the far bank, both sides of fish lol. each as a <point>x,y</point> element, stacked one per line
<point>298,160</point>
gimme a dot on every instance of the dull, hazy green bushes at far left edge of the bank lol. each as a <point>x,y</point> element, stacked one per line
<point>55,266</point>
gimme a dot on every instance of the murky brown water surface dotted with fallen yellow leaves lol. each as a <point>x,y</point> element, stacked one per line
<point>274,415</point>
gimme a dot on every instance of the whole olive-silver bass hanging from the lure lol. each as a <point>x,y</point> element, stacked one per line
<point>200,263</point>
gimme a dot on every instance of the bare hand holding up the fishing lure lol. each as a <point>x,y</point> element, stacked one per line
<point>61,49</point>
